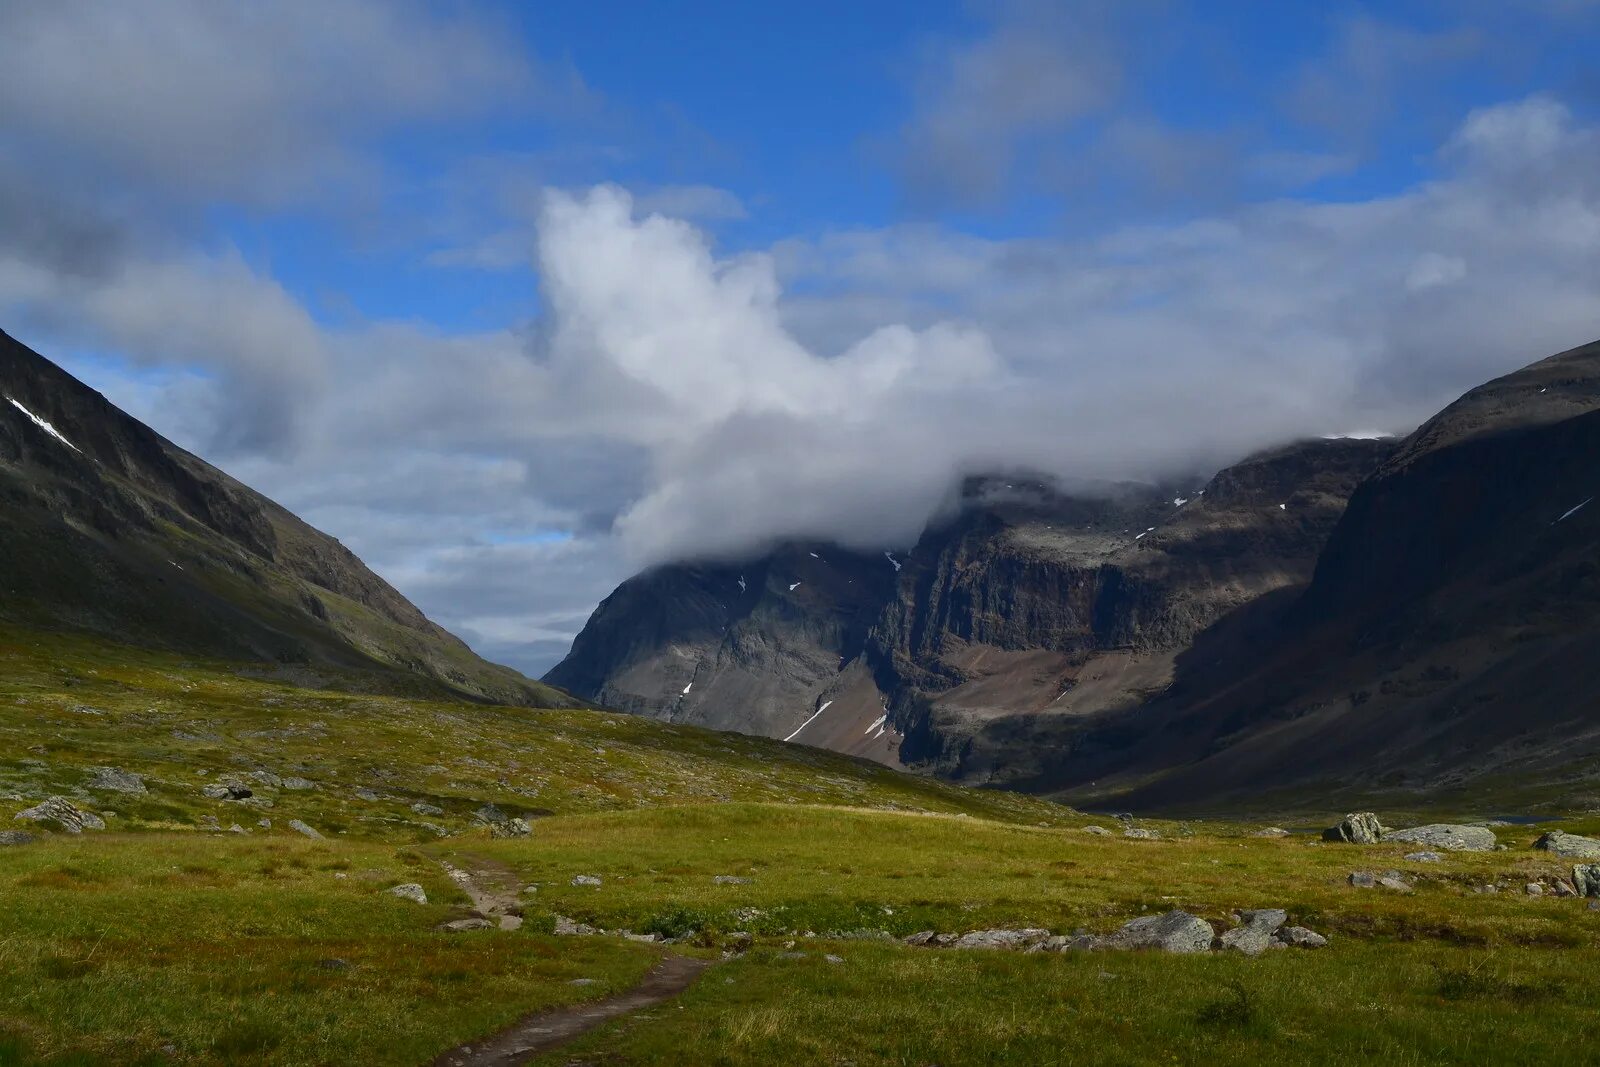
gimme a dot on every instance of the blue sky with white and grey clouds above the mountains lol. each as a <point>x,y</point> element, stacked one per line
<point>518,300</point>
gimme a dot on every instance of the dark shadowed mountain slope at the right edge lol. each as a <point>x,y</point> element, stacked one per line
<point>1449,641</point>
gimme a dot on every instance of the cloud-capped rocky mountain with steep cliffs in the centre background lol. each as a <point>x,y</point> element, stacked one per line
<point>1026,602</point>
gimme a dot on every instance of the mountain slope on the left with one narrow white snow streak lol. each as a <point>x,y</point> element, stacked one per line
<point>111,529</point>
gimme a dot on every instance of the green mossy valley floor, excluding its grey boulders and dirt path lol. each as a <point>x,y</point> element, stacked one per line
<point>162,943</point>
